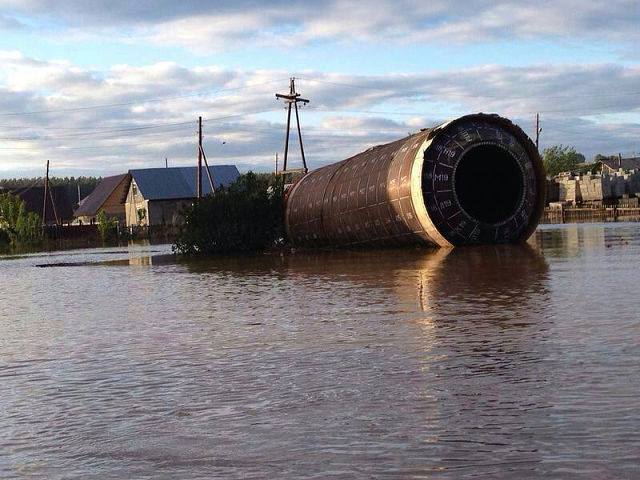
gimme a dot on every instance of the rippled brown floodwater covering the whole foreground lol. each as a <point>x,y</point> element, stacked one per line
<point>509,362</point>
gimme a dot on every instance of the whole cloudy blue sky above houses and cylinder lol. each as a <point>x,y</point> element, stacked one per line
<point>99,88</point>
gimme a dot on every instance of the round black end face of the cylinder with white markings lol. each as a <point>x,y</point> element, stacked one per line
<point>479,184</point>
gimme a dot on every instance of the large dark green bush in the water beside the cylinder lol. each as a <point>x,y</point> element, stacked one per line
<point>248,216</point>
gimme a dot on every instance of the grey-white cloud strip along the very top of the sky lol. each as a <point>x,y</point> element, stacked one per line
<point>218,25</point>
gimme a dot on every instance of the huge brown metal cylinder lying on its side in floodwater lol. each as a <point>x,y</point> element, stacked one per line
<point>475,180</point>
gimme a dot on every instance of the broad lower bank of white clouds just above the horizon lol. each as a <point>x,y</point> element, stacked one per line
<point>58,123</point>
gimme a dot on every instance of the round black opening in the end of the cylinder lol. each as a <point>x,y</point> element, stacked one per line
<point>489,183</point>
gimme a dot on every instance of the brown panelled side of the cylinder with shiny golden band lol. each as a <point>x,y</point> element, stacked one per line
<point>364,199</point>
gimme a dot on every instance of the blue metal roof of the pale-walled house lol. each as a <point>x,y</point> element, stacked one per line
<point>180,182</point>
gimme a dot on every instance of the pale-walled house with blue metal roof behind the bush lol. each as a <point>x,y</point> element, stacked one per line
<point>157,196</point>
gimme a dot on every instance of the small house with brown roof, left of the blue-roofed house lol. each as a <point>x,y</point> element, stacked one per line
<point>109,195</point>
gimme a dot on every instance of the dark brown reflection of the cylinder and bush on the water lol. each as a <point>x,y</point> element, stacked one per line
<point>496,282</point>
